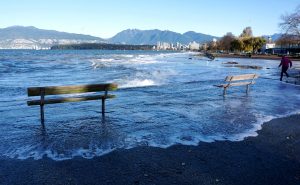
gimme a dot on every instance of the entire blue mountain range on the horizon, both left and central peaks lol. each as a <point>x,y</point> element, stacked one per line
<point>20,37</point>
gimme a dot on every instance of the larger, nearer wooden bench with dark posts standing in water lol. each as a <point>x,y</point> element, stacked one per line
<point>75,89</point>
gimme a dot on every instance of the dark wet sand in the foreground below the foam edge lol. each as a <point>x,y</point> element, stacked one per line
<point>273,157</point>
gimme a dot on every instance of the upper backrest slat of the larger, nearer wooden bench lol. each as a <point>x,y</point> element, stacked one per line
<point>54,90</point>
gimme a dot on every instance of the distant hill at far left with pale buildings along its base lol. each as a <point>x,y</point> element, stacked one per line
<point>20,37</point>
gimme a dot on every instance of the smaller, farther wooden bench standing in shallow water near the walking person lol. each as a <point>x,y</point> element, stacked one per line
<point>238,80</point>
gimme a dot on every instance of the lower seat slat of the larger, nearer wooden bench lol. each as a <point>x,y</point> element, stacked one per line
<point>71,99</point>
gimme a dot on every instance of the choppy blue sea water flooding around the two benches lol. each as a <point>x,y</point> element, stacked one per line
<point>164,98</point>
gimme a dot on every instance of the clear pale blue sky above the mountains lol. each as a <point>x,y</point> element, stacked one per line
<point>106,18</point>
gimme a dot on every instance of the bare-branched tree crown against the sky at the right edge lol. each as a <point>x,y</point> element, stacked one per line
<point>291,23</point>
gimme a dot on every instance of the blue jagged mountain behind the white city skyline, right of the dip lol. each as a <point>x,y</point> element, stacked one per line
<point>135,36</point>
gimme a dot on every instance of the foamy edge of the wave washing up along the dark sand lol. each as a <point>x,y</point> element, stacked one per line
<point>38,151</point>
